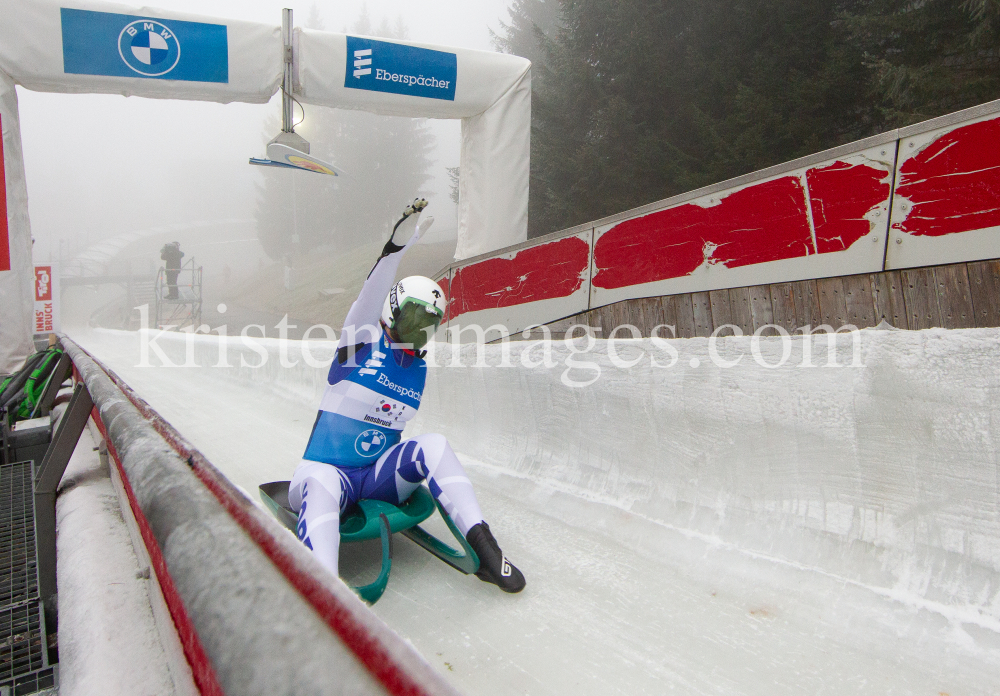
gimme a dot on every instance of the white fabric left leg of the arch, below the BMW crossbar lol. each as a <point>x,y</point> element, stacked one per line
<point>17,295</point>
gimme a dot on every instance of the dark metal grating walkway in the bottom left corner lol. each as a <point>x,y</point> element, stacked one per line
<point>24,645</point>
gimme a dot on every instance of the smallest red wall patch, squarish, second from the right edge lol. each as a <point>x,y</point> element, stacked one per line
<point>841,195</point>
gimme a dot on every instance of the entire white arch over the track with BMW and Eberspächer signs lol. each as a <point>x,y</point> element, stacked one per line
<point>75,47</point>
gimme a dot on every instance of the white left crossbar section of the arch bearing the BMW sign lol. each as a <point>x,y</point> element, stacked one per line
<point>96,47</point>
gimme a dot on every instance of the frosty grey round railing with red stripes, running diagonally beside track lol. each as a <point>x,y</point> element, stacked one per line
<point>236,584</point>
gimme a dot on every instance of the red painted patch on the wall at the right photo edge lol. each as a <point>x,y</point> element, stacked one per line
<point>953,184</point>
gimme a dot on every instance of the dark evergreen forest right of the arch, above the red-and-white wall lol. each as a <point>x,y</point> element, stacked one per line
<point>637,100</point>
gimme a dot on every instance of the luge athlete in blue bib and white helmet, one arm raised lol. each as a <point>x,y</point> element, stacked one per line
<point>374,387</point>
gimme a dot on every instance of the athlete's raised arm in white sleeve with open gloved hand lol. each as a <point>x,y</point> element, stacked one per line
<point>367,309</point>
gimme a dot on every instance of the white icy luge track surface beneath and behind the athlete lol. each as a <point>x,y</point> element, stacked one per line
<point>691,530</point>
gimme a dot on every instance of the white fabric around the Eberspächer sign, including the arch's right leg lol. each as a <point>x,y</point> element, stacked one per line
<point>492,96</point>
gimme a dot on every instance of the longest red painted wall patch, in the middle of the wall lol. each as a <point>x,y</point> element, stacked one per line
<point>764,222</point>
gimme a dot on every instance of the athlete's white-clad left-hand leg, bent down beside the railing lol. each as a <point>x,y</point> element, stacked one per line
<point>319,491</point>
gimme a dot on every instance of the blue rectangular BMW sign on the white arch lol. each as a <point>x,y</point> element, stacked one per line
<point>118,45</point>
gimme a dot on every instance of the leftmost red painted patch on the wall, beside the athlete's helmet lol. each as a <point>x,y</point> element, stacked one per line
<point>543,272</point>
